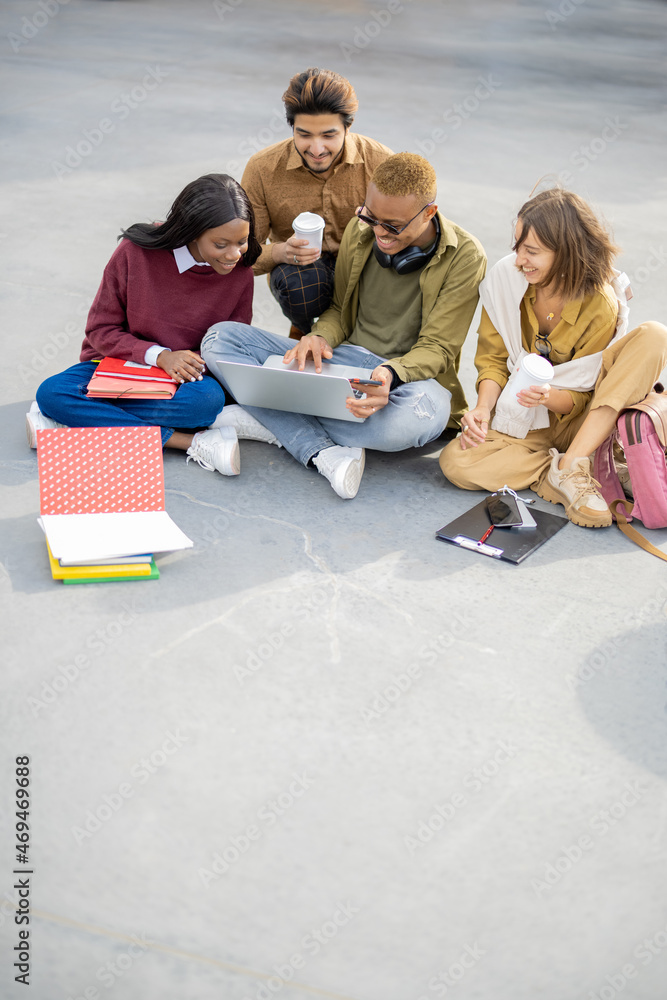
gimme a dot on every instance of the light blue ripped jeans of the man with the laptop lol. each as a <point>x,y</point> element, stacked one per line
<point>416,413</point>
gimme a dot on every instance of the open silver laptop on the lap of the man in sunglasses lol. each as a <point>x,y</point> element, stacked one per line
<point>282,387</point>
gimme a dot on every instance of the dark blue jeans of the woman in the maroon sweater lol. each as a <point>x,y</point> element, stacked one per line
<point>63,398</point>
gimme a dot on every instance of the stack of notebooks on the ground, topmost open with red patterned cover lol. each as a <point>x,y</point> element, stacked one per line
<point>101,492</point>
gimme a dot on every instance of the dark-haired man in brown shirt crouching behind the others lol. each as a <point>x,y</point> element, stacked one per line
<point>324,169</point>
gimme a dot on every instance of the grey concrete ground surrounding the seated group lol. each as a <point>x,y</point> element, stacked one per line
<point>326,756</point>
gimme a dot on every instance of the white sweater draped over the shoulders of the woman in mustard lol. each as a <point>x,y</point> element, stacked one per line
<point>501,293</point>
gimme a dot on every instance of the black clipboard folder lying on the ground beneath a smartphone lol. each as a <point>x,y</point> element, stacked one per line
<point>510,544</point>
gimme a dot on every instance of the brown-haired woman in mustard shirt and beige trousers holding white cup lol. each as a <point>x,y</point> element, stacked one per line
<point>553,296</point>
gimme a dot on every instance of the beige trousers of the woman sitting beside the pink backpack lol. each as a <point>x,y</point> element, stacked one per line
<point>630,369</point>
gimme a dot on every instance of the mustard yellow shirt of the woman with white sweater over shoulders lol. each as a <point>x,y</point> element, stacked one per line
<point>586,326</point>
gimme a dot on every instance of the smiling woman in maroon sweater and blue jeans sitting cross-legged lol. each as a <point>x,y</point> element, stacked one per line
<point>164,286</point>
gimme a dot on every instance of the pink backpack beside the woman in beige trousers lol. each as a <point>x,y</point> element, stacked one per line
<point>642,432</point>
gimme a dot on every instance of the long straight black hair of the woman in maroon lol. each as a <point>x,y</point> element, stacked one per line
<point>208,202</point>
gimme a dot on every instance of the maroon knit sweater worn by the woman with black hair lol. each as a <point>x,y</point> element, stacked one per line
<point>143,300</point>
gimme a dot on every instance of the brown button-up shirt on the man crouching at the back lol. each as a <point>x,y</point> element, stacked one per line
<point>280,187</point>
